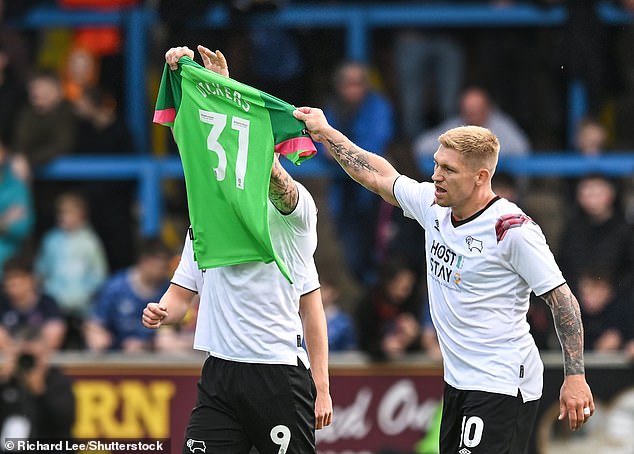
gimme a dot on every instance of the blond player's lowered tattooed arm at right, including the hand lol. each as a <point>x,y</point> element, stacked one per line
<point>575,394</point>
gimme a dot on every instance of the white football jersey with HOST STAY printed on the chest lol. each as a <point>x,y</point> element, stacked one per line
<point>480,272</point>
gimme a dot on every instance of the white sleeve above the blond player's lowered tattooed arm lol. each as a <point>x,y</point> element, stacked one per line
<point>526,250</point>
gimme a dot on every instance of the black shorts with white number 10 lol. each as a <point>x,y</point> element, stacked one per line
<point>478,422</point>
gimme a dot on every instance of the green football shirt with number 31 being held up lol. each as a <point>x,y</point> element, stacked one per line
<point>226,134</point>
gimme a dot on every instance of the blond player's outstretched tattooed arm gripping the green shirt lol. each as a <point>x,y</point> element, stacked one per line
<point>368,169</point>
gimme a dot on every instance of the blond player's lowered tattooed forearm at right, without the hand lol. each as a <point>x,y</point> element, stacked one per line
<point>567,318</point>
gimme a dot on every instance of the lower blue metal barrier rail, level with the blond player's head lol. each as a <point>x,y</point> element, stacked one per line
<point>149,172</point>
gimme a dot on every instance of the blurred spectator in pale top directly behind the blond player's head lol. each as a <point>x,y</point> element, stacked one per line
<point>476,109</point>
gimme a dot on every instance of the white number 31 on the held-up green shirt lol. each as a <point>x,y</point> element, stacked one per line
<point>218,123</point>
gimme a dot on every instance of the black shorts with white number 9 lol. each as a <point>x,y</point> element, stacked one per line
<point>241,405</point>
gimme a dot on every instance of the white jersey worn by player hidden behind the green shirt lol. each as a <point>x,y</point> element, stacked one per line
<point>250,312</point>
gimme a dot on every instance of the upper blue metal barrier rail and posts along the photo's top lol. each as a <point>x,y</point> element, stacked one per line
<point>357,19</point>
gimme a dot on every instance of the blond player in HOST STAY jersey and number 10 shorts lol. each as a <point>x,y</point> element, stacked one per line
<point>484,257</point>
